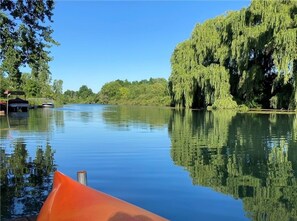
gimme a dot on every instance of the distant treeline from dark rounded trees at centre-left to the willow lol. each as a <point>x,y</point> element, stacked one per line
<point>145,92</point>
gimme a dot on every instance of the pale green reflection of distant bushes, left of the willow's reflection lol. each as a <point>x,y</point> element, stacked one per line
<point>124,116</point>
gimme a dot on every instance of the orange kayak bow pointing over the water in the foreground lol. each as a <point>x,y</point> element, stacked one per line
<point>70,200</point>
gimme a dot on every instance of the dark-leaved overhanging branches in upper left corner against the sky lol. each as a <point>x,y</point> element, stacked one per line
<point>25,38</point>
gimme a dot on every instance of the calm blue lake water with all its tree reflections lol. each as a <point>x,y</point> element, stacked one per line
<point>182,165</point>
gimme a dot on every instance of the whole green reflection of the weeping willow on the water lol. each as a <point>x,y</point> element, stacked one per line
<point>251,157</point>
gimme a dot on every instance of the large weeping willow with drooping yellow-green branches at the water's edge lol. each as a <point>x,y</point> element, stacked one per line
<point>244,57</point>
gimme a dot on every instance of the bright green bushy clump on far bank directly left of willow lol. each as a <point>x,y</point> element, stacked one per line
<point>145,92</point>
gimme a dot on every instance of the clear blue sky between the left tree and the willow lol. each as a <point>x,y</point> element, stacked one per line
<point>102,41</point>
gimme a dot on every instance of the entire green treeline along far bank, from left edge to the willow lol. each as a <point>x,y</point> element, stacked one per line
<point>146,92</point>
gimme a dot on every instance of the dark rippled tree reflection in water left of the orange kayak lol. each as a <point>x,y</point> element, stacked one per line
<point>25,184</point>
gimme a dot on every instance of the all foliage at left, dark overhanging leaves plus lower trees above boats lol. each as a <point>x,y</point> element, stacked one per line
<point>25,41</point>
